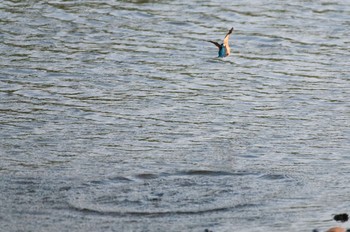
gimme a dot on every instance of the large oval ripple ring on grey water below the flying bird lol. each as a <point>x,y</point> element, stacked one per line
<point>181,193</point>
